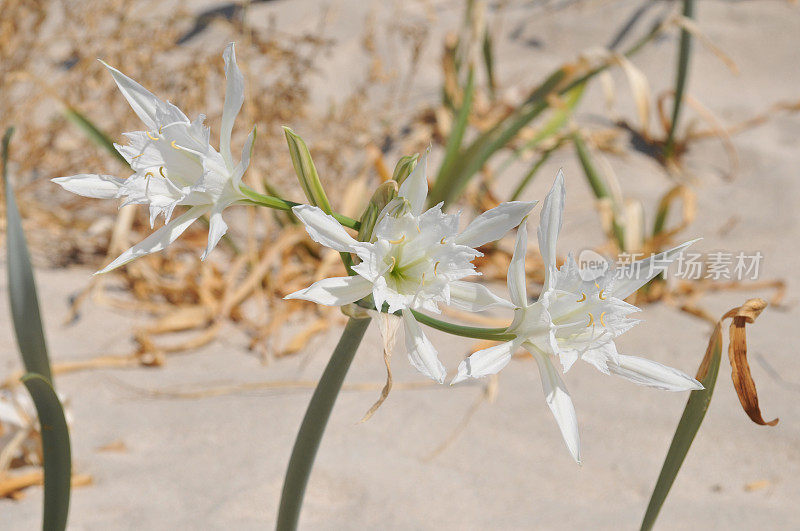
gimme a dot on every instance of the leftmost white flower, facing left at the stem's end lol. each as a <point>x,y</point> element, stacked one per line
<point>174,164</point>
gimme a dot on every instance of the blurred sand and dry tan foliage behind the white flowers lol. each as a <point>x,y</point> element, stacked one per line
<point>186,380</point>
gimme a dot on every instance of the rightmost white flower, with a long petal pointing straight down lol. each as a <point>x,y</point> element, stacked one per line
<point>574,319</point>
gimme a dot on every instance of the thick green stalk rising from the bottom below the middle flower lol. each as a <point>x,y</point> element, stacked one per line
<point>314,422</point>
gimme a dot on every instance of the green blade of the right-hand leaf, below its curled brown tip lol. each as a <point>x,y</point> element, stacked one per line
<point>692,417</point>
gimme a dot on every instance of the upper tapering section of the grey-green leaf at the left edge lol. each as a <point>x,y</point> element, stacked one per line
<point>21,284</point>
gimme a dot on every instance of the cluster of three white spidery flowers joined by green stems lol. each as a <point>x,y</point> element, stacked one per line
<point>414,260</point>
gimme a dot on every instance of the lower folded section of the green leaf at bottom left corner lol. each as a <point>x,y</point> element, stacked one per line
<point>56,451</point>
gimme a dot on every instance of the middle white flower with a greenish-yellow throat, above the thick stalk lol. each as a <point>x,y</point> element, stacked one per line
<point>415,261</point>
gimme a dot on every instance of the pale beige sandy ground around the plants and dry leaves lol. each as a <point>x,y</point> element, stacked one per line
<point>218,462</point>
